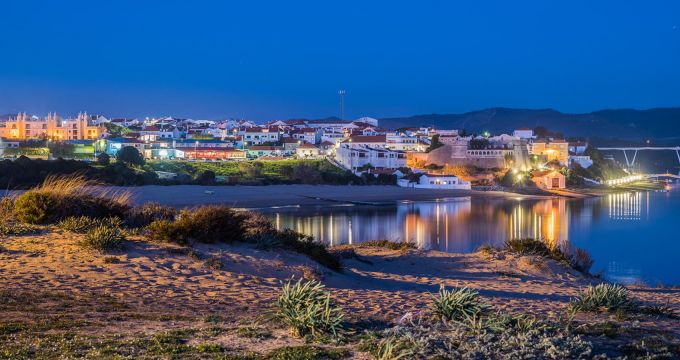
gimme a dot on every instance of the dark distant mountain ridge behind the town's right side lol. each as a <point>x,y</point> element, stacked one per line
<point>657,123</point>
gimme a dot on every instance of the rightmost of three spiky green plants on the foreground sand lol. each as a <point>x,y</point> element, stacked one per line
<point>604,298</point>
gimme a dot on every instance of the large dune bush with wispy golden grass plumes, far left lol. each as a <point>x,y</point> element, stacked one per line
<point>58,198</point>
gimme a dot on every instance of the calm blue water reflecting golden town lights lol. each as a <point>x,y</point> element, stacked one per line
<point>633,237</point>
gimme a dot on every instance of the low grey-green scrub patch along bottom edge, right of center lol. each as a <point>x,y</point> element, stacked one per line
<point>490,336</point>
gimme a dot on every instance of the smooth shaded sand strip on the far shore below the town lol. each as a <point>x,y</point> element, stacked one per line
<point>290,195</point>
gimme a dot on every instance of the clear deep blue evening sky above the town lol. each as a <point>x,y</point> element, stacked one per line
<point>281,59</point>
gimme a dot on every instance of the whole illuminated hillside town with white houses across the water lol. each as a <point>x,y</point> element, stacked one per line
<point>422,157</point>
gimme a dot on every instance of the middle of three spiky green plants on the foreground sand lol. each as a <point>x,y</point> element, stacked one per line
<point>456,304</point>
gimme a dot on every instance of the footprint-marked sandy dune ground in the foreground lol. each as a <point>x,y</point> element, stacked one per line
<point>153,287</point>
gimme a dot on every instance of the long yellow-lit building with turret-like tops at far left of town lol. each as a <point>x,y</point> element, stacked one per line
<point>24,127</point>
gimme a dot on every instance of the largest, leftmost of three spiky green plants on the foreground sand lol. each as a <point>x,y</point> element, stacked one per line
<point>307,309</point>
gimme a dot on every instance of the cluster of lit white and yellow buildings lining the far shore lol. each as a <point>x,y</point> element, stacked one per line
<point>360,145</point>
